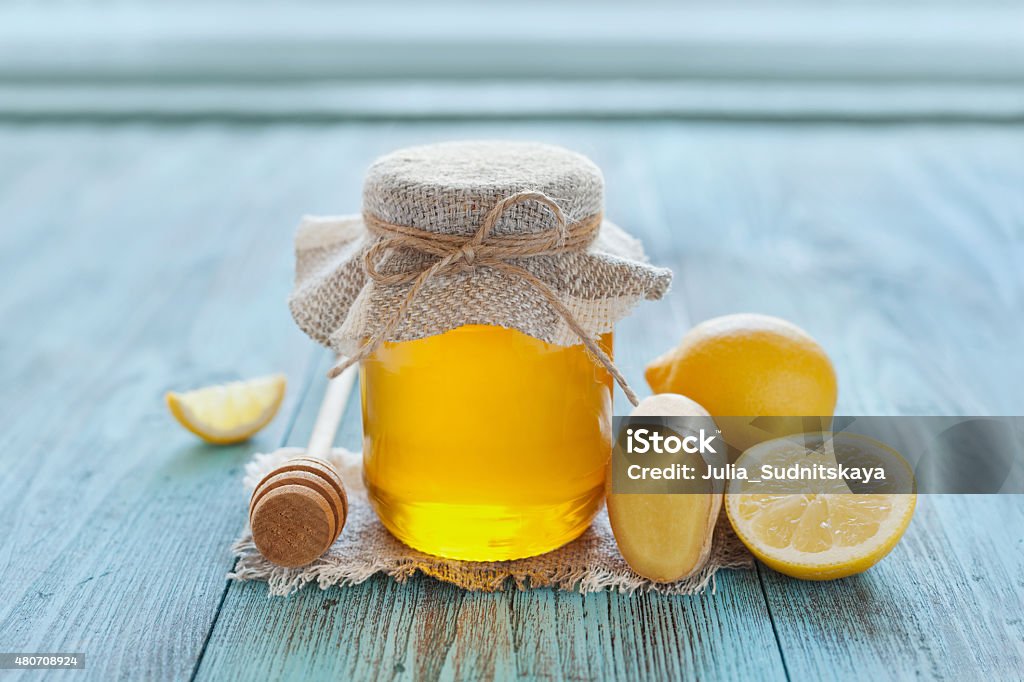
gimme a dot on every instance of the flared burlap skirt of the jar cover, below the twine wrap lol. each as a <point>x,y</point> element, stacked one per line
<point>337,306</point>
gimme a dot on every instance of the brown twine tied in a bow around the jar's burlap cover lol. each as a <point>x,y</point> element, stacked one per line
<point>459,253</point>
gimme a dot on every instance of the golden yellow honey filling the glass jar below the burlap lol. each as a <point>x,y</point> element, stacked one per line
<point>484,444</point>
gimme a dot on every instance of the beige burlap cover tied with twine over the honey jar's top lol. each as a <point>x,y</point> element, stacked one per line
<point>503,234</point>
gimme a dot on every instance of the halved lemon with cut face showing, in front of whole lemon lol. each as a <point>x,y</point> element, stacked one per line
<point>821,530</point>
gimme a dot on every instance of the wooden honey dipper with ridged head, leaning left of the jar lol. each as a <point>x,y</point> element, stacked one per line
<point>300,509</point>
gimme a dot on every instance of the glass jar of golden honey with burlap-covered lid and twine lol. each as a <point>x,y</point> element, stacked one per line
<point>479,291</point>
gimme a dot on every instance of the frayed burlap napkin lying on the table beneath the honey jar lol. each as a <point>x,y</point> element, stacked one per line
<point>591,564</point>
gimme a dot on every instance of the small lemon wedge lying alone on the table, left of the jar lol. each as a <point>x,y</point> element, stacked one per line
<point>229,413</point>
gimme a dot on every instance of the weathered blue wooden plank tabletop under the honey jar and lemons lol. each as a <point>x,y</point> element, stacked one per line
<point>138,259</point>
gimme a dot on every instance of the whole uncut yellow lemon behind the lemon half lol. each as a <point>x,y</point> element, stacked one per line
<point>750,366</point>
